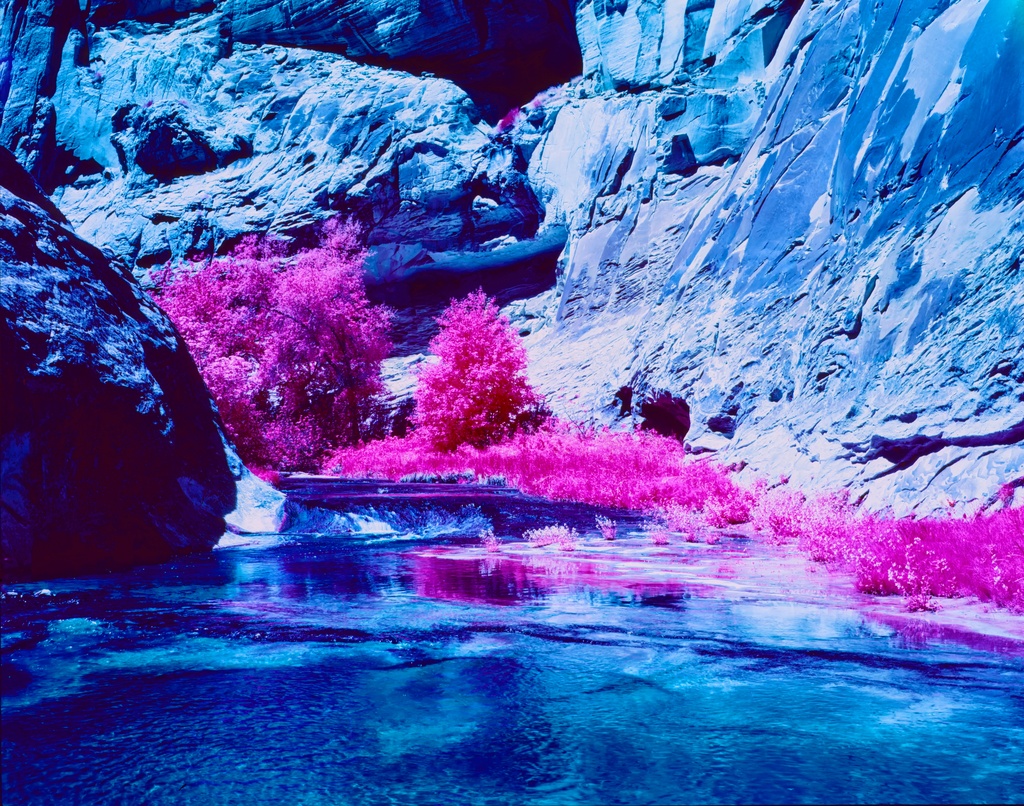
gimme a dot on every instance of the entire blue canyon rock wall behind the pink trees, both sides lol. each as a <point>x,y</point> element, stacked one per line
<point>806,218</point>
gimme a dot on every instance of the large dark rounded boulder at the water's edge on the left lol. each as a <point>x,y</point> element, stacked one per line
<point>112,451</point>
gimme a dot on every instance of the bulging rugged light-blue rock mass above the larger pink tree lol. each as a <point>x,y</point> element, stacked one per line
<point>180,148</point>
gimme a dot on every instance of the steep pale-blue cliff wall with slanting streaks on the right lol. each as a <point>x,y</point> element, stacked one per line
<point>841,299</point>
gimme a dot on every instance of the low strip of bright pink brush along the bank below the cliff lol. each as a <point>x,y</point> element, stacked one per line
<point>982,557</point>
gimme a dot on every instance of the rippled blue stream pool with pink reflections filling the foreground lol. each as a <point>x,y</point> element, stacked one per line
<point>381,668</point>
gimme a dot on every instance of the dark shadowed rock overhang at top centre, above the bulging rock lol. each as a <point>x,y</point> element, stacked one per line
<point>501,54</point>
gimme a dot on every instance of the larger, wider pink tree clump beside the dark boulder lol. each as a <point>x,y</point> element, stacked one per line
<point>289,349</point>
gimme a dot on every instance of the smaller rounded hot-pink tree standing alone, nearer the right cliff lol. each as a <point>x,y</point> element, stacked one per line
<point>478,393</point>
